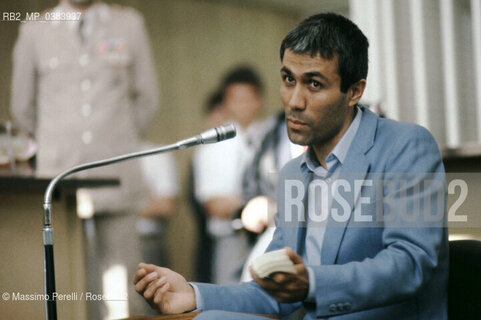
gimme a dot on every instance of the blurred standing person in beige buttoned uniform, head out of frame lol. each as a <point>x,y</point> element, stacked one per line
<point>85,88</point>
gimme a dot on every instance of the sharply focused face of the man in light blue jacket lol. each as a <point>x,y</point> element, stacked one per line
<point>317,112</point>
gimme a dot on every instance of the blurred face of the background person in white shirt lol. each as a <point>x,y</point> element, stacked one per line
<point>243,102</point>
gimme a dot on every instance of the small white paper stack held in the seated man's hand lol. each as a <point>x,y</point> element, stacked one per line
<point>271,262</point>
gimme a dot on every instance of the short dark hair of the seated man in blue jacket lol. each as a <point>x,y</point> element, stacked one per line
<point>330,34</point>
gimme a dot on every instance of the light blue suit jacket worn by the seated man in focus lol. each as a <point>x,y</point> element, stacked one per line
<point>396,268</point>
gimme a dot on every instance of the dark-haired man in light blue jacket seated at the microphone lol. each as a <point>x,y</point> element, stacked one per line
<point>362,212</point>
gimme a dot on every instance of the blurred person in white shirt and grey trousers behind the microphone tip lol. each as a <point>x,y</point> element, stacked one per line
<point>218,170</point>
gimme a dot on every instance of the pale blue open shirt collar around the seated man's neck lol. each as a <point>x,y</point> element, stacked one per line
<point>339,152</point>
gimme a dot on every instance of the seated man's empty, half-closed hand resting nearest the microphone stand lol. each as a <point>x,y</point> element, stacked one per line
<point>165,290</point>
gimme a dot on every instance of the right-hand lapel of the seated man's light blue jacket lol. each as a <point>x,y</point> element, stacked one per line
<point>355,167</point>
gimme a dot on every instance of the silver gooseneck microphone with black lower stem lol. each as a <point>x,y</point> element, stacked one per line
<point>226,131</point>
